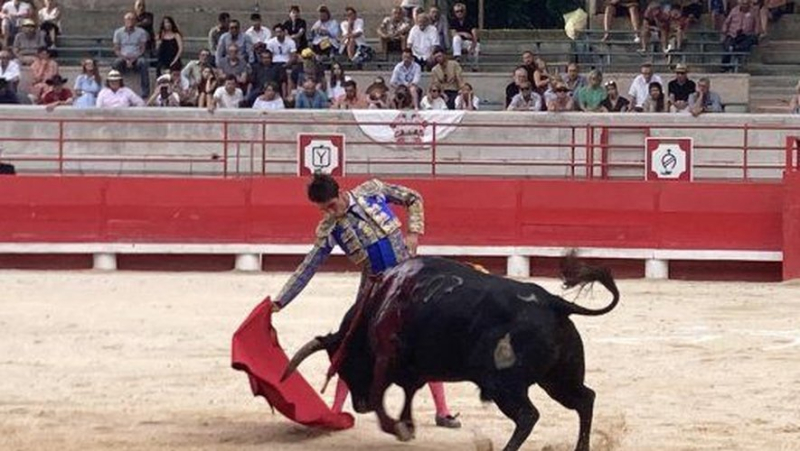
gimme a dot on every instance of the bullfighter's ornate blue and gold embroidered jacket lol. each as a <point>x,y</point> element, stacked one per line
<point>369,233</point>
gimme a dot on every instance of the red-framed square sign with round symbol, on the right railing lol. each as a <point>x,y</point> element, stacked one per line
<point>668,159</point>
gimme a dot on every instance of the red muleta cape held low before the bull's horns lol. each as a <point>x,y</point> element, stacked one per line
<point>256,351</point>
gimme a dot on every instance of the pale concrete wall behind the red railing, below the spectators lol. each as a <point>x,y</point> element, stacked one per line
<point>527,144</point>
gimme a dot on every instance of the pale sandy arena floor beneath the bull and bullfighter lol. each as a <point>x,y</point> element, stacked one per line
<point>126,361</point>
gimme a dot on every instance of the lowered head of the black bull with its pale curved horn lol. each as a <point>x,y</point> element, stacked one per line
<point>356,364</point>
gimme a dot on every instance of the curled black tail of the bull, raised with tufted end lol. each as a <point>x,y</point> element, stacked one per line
<point>576,273</point>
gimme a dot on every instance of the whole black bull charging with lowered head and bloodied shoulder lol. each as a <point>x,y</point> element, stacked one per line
<point>433,319</point>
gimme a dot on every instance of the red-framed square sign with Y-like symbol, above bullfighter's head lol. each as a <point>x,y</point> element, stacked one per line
<point>320,153</point>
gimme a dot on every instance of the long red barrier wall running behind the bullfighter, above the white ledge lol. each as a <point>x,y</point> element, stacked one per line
<point>459,212</point>
